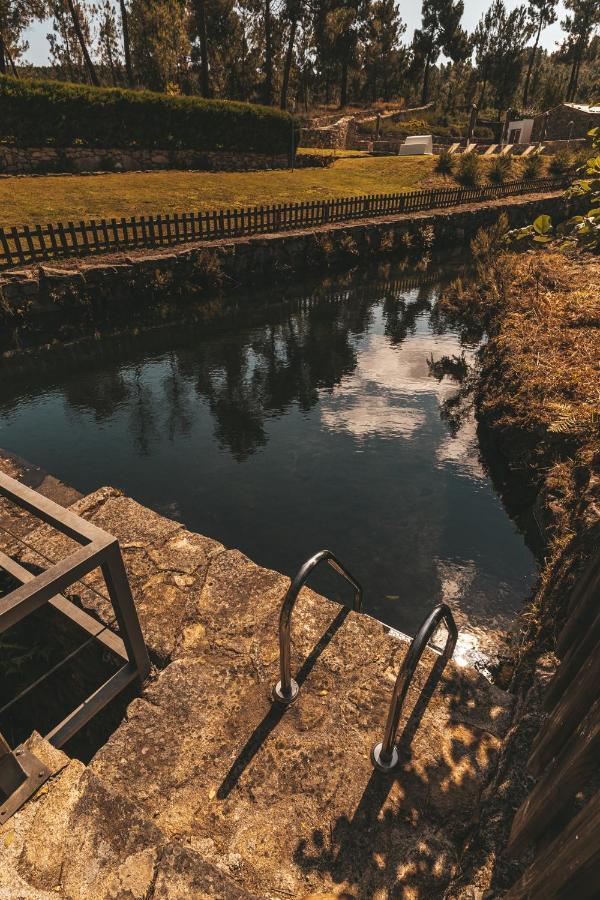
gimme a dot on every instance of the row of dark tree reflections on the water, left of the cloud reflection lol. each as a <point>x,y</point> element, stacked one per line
<point>246,376</point>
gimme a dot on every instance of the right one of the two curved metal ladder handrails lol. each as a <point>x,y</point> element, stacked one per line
<point>384,755</point>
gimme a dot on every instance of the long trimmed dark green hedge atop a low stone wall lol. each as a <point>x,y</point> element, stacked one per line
<point>52,113</point>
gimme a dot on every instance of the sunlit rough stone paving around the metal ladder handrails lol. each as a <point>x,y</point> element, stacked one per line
<point>205,789</point>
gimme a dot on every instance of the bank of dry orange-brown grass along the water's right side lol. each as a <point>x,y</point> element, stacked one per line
<point>537,398</point>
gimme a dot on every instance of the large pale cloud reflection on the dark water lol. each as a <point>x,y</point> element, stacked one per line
<point>376,398</point>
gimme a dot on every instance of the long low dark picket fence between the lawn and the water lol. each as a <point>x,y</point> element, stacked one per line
<point>39,243</point>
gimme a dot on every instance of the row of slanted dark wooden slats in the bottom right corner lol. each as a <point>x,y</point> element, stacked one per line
<point>561,816</point>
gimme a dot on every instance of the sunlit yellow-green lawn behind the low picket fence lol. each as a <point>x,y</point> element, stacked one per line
<point>74,197</point>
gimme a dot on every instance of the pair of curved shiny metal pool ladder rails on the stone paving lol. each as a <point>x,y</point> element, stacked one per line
<point>384,754</point>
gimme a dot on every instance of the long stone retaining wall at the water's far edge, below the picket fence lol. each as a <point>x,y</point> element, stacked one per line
<point>196,271</point>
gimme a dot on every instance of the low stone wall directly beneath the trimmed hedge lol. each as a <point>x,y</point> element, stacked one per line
<point>67,160</point>
